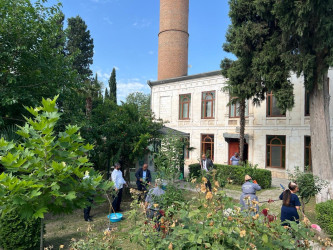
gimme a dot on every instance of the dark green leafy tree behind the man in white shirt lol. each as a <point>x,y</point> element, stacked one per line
<point>121,133</point>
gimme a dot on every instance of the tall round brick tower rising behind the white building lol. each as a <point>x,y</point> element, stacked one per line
<point>173,39</point>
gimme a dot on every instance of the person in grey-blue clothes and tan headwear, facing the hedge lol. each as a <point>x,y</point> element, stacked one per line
<point>249,189</point>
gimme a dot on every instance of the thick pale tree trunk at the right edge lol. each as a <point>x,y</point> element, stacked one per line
<point>321,138</point>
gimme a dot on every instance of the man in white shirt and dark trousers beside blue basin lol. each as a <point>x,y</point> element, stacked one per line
<point>119,182</point>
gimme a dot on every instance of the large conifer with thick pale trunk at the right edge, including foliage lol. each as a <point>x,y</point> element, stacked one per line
<point>305,45</point>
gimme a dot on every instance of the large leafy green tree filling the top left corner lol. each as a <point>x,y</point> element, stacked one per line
<point>32,62</point>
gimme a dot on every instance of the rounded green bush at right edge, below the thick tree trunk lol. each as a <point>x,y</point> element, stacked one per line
<point>324,212</point>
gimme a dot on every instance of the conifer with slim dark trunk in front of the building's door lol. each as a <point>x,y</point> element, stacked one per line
<point>246,37</point>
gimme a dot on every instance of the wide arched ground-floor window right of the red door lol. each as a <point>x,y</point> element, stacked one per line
<point>276,151</point>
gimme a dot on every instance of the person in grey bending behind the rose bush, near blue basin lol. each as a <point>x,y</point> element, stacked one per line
<point>152,198</point>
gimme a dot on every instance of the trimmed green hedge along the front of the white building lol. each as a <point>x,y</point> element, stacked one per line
<point>236,173</point>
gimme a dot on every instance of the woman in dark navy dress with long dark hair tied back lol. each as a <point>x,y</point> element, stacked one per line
<point>290,204</point>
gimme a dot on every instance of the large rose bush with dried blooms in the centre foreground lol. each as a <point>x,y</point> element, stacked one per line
<point>210,220</point>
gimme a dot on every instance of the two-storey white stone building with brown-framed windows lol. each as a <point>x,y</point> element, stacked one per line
<point>197,105</point>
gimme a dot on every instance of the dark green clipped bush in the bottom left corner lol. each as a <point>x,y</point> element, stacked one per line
<point>18,233</point>
